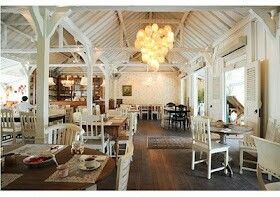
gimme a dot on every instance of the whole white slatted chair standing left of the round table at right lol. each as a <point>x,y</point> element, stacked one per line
<point>202,143</point>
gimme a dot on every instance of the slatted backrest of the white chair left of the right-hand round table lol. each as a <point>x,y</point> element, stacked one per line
<point>200,127</point>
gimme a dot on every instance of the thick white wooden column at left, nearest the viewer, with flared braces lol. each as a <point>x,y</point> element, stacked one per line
<point>45,25</point>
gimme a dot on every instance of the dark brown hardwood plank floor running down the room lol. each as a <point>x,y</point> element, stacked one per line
<point>167,169</point>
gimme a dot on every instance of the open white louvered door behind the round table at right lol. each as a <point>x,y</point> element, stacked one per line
<point>253,96</point>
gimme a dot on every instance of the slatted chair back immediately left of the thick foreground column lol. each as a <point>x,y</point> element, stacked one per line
<point>28,126</point>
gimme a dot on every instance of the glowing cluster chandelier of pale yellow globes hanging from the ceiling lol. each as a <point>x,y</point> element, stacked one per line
<point>154,43</point>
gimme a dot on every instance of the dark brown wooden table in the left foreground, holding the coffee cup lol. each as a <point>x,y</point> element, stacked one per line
<point>34,178</point>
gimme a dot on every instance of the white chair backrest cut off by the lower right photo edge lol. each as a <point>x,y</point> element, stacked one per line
<point>268,156</point>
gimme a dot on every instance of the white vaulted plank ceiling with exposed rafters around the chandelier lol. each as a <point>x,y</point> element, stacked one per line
<point>114,30</point>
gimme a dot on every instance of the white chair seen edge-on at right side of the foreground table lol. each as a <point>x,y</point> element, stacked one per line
<point>123,169</point>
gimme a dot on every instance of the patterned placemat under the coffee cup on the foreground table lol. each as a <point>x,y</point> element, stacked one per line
<point>77,175</point>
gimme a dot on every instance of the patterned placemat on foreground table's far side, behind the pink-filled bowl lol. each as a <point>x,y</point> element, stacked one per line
<point>35,149</point>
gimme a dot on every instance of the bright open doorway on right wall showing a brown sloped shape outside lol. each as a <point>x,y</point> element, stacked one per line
<point>235,95</point>
